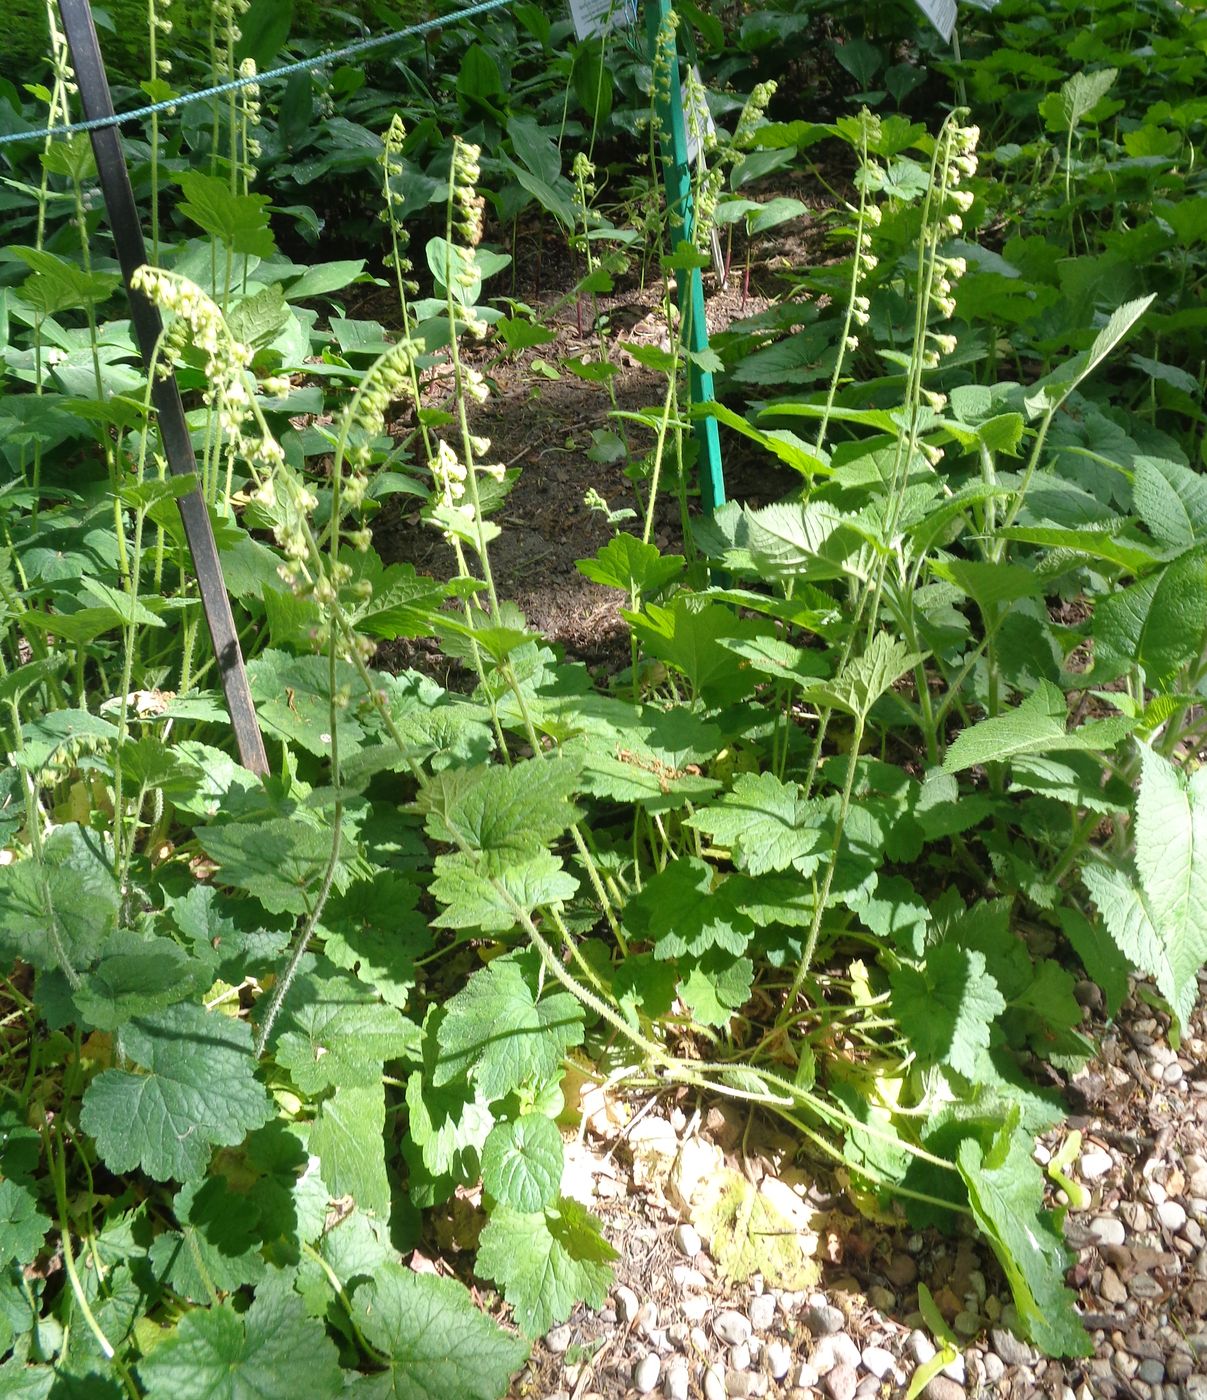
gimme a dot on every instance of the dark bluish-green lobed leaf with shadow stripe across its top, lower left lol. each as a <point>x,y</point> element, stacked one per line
<point>194,1090</point>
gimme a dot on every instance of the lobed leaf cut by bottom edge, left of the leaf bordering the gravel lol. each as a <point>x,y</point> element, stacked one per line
<point>274,1352</point>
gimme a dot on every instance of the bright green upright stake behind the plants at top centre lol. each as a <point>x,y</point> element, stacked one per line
<point>678,178</point>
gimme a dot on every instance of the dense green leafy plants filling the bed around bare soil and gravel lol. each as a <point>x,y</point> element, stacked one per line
<point>916,755</point>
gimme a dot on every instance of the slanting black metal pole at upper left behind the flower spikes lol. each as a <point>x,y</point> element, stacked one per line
<point>166,395</point>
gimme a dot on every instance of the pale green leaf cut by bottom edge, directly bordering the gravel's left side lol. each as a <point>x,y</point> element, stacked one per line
<point>439,1345</point>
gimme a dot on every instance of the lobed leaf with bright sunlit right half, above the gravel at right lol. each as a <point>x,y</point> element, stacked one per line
<point>947,1006</point>
